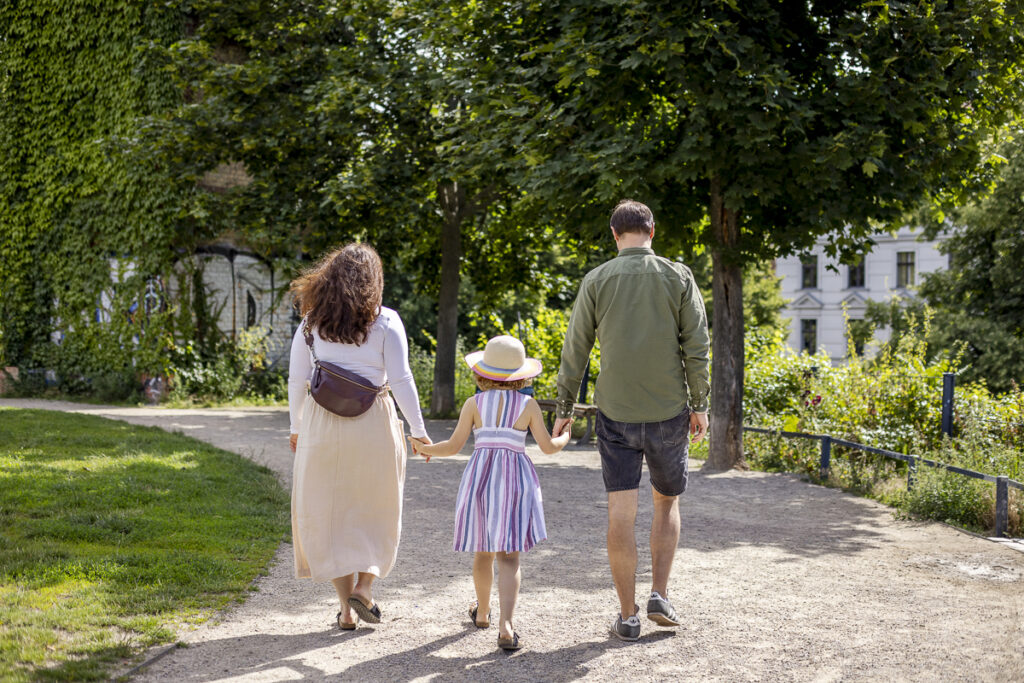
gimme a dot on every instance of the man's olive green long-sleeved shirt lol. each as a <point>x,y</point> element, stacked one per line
<point>650,319</point>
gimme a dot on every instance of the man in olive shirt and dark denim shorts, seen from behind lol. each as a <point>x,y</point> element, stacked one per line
<point>653,390</point>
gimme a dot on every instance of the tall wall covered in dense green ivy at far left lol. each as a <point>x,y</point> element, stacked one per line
<point>87,229</point>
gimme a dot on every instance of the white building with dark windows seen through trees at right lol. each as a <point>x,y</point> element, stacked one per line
<point>818,295</point>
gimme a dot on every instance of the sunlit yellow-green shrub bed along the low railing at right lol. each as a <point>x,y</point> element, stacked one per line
<point>893,402</point>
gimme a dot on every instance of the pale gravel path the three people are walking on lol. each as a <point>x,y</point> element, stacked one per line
<point>777,579</point>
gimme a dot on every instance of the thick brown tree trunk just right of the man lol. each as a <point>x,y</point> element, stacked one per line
<point>727,436</point>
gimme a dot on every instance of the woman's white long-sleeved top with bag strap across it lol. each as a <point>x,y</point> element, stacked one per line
<point>385,358</point>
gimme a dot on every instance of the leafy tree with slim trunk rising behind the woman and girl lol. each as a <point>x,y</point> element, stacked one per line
<point>349,126</point>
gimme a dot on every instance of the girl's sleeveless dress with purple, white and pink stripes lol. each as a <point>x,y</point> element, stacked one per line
<point>499,506</point>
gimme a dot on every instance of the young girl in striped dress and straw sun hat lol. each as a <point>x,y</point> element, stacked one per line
<point>499,513</point>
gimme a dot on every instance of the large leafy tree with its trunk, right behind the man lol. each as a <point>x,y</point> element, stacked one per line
<point>780,121</point>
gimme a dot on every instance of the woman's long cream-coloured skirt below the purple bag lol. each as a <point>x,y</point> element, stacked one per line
<point>348,490</point>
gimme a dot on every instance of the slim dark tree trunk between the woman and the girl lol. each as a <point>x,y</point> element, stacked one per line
<point>452,199</point>
